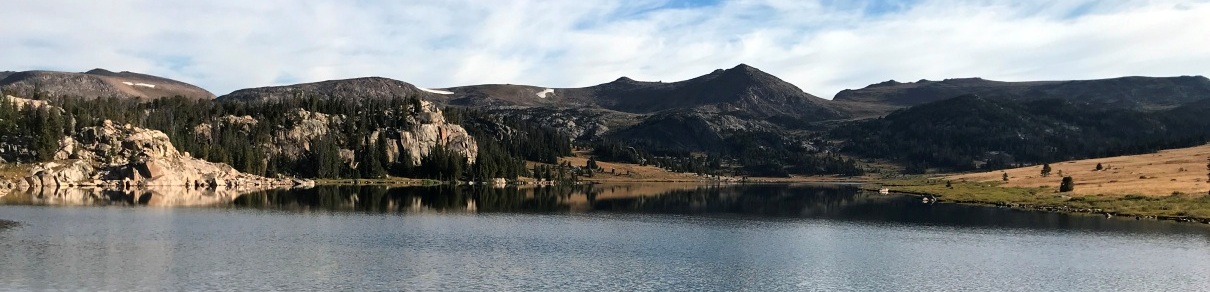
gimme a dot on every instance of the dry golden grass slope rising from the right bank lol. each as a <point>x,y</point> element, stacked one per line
<point>1155,175</point>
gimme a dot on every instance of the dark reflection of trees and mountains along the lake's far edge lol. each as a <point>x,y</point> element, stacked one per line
<point>825,202</point>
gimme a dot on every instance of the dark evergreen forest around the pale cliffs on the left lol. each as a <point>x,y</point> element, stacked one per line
<point>347,151</point>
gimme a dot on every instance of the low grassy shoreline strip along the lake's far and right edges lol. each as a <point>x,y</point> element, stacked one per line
<point>990,194</point>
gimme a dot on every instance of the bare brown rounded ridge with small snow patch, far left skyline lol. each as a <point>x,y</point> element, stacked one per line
<point>99,83</point>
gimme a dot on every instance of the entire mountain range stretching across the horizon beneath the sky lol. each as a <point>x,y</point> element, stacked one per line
<point>742,110</point>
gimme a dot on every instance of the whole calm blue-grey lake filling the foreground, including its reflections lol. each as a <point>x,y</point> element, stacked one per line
<point>625,238</point>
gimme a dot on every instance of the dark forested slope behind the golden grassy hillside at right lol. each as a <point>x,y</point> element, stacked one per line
<point>970,133</point>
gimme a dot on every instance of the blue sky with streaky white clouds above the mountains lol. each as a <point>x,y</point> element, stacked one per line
<point>821,47</point>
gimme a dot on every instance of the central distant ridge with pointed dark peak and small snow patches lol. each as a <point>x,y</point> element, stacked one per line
<point>744,90</point>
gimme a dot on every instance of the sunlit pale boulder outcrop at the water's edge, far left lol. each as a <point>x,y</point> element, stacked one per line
<point>112,156</point>
